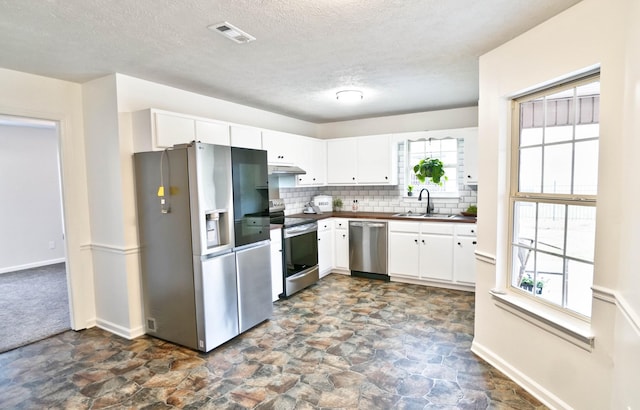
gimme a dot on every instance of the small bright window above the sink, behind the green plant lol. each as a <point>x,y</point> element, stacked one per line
<point>444,149</point>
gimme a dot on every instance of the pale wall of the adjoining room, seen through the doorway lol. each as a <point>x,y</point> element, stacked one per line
<point>31,209</point>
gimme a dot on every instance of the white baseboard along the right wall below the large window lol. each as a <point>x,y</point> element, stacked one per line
<point>543,395</point>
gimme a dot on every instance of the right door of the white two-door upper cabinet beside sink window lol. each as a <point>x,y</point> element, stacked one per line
<point>374,160</point>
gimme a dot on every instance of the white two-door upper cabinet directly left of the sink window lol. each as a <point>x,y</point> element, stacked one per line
<point>370,160</point>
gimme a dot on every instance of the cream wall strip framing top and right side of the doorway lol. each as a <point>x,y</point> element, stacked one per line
<point>40,97</point>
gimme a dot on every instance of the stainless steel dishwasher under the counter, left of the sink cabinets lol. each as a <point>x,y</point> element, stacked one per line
<point>368,249</point>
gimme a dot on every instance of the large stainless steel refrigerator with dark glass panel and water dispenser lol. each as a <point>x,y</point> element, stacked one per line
<point>203,217</point>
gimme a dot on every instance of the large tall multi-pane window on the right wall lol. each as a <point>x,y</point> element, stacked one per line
<point>554,180</point>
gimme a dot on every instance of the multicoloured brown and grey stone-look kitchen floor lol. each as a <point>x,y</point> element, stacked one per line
<point>345,343</point>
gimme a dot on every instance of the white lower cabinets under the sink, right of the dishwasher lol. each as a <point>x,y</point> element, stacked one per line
<point>432,251</point>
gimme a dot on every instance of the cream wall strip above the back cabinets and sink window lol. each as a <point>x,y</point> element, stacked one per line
<point>423,121</point>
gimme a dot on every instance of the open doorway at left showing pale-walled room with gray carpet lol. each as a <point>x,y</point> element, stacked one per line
<point>34,290</point>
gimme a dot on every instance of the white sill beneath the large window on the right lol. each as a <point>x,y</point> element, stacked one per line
<point>571,329</point>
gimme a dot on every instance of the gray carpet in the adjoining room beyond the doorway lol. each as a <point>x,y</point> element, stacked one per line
<point>34,305</point>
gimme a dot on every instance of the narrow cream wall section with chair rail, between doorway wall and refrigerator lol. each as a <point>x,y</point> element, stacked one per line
<point>114,247</point>
